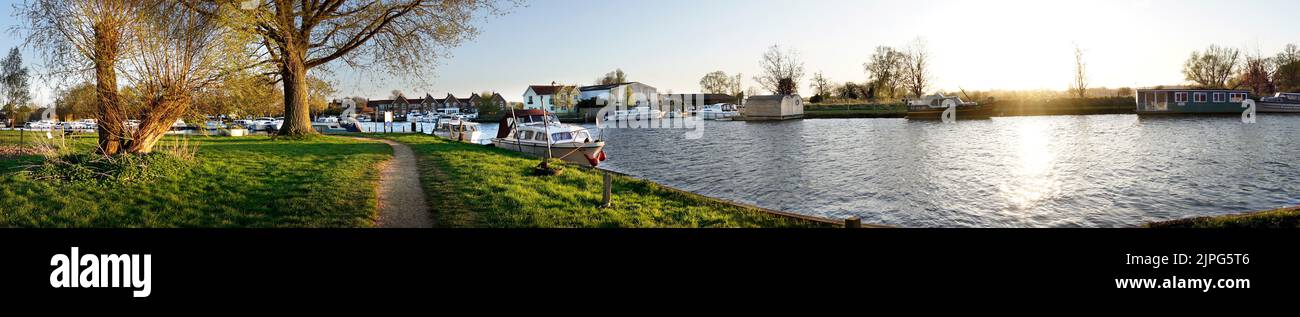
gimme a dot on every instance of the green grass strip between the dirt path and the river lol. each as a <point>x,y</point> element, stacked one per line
<point>476,186</point>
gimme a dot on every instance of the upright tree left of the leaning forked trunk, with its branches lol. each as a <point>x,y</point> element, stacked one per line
<point>80,37</point>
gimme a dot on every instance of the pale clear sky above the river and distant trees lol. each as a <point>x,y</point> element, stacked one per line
<point>670,45</point>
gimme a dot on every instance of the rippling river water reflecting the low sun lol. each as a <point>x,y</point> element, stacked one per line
<point>1008,172</point>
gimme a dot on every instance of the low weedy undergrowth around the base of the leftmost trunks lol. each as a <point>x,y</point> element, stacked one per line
<point>86,168</point>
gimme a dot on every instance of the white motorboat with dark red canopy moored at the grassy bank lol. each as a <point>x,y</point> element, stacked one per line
<point>535,129</point>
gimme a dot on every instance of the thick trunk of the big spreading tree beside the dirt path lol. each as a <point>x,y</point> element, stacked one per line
<point>297,111</point>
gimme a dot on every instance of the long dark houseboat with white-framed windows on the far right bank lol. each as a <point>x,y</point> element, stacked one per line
<point>1185,101</point>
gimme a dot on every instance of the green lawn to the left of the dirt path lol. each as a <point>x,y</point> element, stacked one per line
<point>235,183</point>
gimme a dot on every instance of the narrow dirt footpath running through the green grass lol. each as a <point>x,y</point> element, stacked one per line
<point>401,196</point>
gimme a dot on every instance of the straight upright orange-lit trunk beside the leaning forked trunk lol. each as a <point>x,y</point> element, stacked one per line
<point>110,118</point>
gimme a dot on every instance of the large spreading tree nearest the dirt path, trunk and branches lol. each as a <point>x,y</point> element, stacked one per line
<point>402,37</point>
